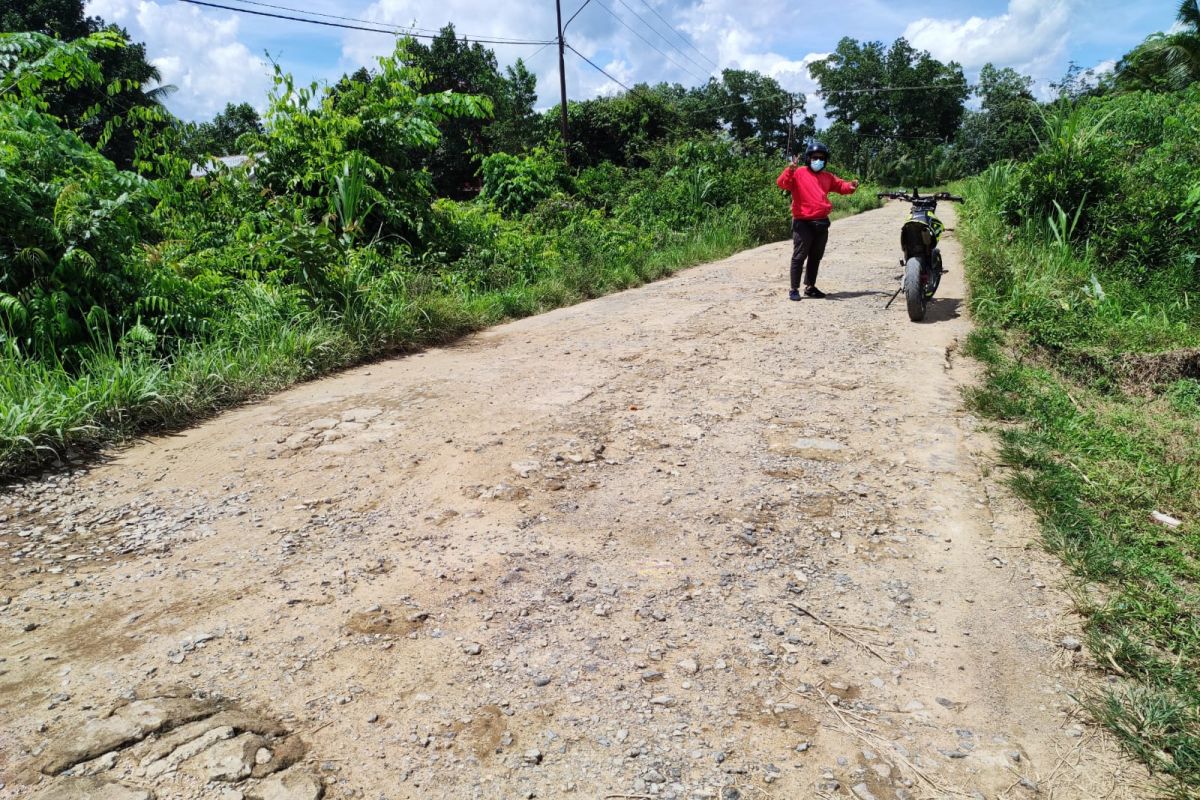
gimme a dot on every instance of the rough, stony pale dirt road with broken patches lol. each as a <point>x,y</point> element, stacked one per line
<point>687,542</point>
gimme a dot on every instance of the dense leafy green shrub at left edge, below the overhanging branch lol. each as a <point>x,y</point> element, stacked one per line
<point>71,224</point>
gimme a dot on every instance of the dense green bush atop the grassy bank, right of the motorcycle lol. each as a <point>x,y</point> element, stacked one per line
<point>1121,169</point>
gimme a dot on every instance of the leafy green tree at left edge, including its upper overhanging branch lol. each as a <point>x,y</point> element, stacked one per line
<point>68,215</point>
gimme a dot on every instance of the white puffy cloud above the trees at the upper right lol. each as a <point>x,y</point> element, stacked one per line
<point>1031,37</point>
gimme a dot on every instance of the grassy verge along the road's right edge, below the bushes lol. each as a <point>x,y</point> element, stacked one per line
<point>1096,455</point>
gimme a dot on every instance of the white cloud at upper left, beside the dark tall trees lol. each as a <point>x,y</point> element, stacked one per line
<point>195,50</point>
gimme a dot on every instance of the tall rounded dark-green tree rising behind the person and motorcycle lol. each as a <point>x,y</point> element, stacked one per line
<point>890,106</point>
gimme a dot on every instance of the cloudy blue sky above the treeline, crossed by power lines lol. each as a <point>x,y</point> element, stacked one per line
<point>215,57</point>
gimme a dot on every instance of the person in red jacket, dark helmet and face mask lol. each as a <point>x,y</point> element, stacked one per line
<point>811,187</point>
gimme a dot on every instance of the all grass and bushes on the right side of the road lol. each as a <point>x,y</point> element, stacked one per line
<point>1084,261</point>
